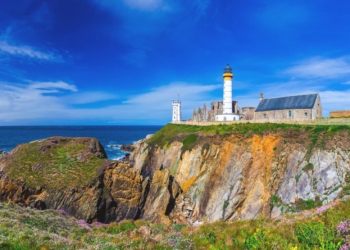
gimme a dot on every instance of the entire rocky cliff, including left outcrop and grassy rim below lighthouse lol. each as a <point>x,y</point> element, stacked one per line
<point>184,174</point>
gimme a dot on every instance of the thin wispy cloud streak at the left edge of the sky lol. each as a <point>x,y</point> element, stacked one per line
<point>28,52</point>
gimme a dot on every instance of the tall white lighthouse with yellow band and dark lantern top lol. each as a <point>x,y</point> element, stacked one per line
<point>227,114</point>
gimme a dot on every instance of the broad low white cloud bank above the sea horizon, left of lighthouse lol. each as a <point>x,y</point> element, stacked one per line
<point>37,102</point>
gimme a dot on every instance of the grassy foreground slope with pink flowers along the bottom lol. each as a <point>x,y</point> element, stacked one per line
<point>23,228</point>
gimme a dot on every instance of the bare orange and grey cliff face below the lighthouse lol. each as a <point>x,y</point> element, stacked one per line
<point>236,176</point>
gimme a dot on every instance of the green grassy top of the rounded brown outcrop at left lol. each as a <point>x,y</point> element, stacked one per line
<point>65,165</point>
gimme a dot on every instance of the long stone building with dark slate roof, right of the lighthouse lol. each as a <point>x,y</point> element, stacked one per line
<point>300,107</point>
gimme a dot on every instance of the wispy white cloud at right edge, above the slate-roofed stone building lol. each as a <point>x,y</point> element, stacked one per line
<point>319,67</point>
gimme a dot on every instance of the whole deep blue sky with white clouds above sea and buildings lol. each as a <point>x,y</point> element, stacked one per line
<point>123,62</point>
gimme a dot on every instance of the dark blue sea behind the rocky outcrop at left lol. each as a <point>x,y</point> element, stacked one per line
<point>111,137</point>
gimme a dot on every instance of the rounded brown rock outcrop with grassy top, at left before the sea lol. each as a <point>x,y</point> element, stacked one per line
<point>77,179</point>
